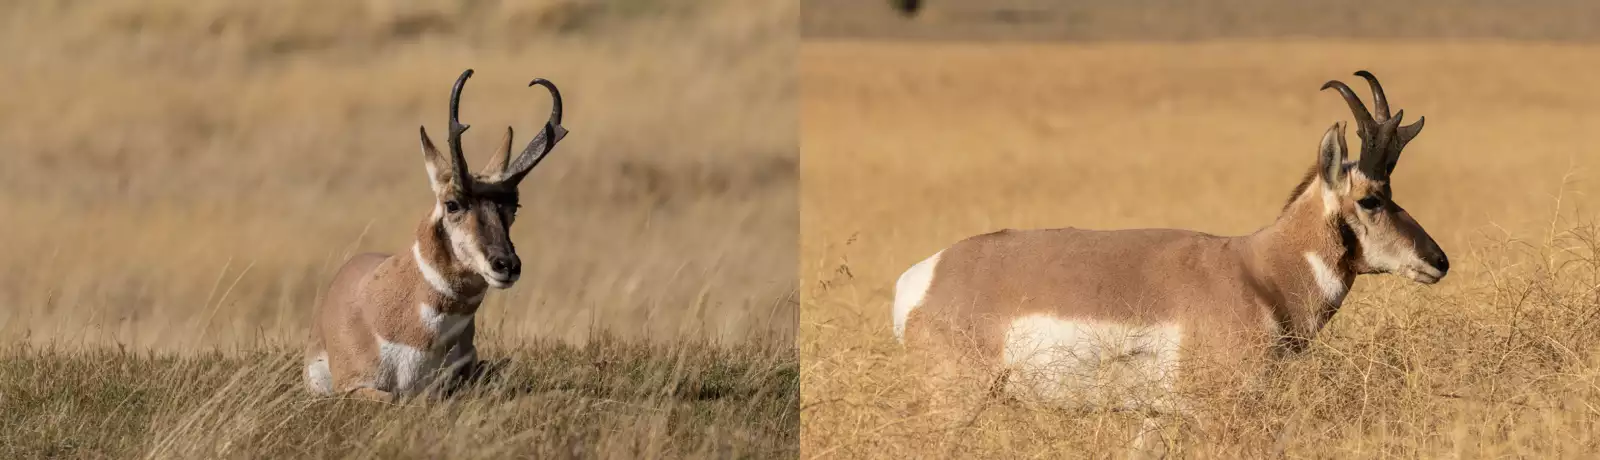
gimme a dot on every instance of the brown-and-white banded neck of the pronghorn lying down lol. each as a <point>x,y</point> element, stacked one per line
<point>447,284</point>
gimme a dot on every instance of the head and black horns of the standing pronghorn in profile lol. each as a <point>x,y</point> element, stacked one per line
<point>1382,236</point>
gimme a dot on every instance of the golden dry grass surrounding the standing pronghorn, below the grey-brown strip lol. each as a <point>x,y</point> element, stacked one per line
<point>913,146</point>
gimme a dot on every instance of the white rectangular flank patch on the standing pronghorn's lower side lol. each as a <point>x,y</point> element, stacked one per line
<point>1081,363</point>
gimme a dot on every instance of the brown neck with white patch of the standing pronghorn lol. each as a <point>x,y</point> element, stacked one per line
<point>1305,261</point>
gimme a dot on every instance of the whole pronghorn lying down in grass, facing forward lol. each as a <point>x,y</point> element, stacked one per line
<point>393,325</point>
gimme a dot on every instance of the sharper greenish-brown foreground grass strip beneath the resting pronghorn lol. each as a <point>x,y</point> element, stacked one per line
<point>602,400</point>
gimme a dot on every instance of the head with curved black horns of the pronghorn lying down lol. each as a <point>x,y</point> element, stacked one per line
<point>473,213</point>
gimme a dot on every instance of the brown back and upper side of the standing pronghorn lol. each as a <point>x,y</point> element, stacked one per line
<point>975,280</point>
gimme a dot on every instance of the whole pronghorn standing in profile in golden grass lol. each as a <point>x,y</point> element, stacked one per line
<point>1062,315</point>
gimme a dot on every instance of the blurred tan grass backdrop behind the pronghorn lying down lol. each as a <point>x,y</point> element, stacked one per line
<point>185,175</point>
